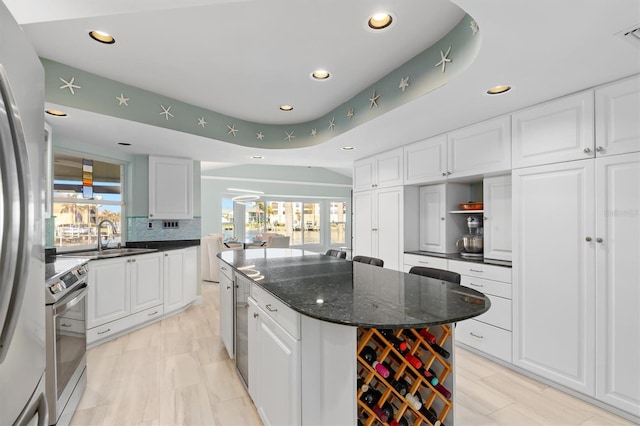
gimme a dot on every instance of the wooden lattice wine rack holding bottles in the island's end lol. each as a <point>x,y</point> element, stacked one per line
<point>428,399</point>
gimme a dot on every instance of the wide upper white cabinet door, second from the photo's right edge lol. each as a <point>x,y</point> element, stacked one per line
<point>555,131</point>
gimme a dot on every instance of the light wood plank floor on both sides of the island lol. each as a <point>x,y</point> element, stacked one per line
<point>176,372</point>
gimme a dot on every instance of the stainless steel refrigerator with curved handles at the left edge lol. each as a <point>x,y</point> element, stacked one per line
<point>22,306</point>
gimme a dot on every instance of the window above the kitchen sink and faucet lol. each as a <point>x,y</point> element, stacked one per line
<point>86,192</point>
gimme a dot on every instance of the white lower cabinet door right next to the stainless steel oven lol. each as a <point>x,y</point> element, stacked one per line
<point>109,296</point>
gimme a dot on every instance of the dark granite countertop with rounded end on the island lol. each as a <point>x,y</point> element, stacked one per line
<point>356,294</point>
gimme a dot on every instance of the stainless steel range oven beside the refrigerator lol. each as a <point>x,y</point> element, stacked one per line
<point>66,337</point>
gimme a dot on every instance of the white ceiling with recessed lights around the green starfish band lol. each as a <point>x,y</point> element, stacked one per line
<point>243,58</point>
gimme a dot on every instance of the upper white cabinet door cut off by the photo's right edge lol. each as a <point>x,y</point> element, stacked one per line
<point>618,117</point>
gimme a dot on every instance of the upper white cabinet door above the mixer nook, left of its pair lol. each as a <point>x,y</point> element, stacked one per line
<point>426,161</point>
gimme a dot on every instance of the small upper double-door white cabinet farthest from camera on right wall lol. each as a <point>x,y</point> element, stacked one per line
<point>380,171</point>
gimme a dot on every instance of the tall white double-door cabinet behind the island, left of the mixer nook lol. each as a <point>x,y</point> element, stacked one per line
<point>379,224</point>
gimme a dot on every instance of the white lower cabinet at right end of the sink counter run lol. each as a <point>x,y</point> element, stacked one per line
<point>180,272</point>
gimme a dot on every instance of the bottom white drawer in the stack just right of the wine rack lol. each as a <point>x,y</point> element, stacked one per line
<point>484,337</point>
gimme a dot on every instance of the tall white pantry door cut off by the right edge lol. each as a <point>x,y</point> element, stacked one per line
<point>617,249</point>
